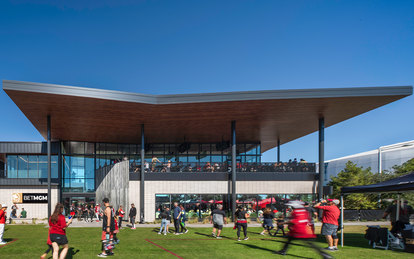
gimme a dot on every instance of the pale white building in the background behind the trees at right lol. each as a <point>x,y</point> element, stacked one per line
<point>391,155</point>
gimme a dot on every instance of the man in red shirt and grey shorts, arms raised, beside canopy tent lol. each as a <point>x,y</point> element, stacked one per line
<point>330,218</point>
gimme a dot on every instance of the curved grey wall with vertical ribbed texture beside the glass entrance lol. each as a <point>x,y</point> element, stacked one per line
<point>114,184</point>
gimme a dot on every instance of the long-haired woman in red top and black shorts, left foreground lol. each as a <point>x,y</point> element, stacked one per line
<point>57,230</point>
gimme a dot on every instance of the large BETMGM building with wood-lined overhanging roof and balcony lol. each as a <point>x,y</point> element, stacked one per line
<point>200,149</point>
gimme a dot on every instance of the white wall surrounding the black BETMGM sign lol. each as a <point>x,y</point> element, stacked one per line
<point>34,210</point>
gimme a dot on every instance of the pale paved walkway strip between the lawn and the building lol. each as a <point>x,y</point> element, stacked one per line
<point>77,223</point>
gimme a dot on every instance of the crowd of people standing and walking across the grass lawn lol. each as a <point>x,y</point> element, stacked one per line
<point>299,217</point>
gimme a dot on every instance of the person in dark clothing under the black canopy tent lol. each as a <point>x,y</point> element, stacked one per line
<point>404,216</point>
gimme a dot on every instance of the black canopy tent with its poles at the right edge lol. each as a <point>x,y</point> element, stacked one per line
<point>397,185</point>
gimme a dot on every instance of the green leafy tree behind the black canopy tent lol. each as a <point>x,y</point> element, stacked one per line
<point>353,175</point>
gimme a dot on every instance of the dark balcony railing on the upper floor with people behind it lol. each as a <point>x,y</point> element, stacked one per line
<point>224,167</point>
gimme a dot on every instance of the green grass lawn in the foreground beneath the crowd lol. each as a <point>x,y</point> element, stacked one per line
<point>146,243</point>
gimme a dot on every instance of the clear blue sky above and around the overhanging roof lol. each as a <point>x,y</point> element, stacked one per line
<point>169,47</point>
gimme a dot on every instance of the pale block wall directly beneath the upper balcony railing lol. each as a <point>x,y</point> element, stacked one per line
<point>212,187</point>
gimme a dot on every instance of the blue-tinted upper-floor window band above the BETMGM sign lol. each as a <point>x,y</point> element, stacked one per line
<point>30,166</point>
